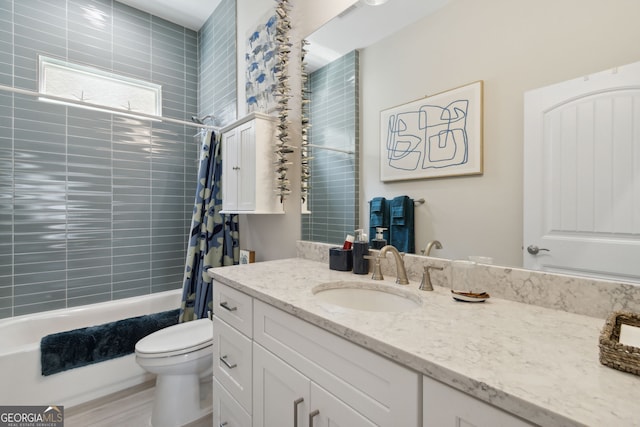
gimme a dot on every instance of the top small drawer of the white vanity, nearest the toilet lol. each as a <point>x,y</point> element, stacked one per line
<point>233,307</point>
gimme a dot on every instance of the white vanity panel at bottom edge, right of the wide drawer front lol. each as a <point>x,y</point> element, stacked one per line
<point>444,406</point>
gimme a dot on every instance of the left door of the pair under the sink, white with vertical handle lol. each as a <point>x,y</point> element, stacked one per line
<point>280,393</point>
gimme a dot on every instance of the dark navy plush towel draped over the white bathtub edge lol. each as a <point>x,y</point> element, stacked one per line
<point>80,347</point>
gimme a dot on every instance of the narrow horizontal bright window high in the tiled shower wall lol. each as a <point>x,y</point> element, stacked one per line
<point>82,84</point>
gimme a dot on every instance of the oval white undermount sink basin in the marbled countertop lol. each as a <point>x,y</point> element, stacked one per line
<point>367,296</point>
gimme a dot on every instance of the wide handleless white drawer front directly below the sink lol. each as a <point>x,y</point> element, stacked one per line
<point>384,391</point>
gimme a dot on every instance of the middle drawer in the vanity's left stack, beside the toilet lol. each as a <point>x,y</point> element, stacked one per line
<point>232,362</point>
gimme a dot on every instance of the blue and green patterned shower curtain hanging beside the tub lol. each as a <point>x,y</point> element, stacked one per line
<point>213,241</point>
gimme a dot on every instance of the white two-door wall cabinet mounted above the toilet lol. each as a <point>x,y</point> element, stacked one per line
<point>248,170</point>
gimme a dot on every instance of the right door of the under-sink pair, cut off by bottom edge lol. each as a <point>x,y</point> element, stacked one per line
<point>328,411</point>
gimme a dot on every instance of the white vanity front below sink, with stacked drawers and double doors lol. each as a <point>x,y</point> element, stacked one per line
<point>302,376</point>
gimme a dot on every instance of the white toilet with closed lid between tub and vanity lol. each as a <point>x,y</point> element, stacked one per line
<point>179,355</point>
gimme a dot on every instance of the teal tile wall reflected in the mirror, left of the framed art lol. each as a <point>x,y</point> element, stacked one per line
<point>334,114</point>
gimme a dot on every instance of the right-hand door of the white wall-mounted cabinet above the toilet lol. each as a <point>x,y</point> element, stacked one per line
<point>247,166</point>
